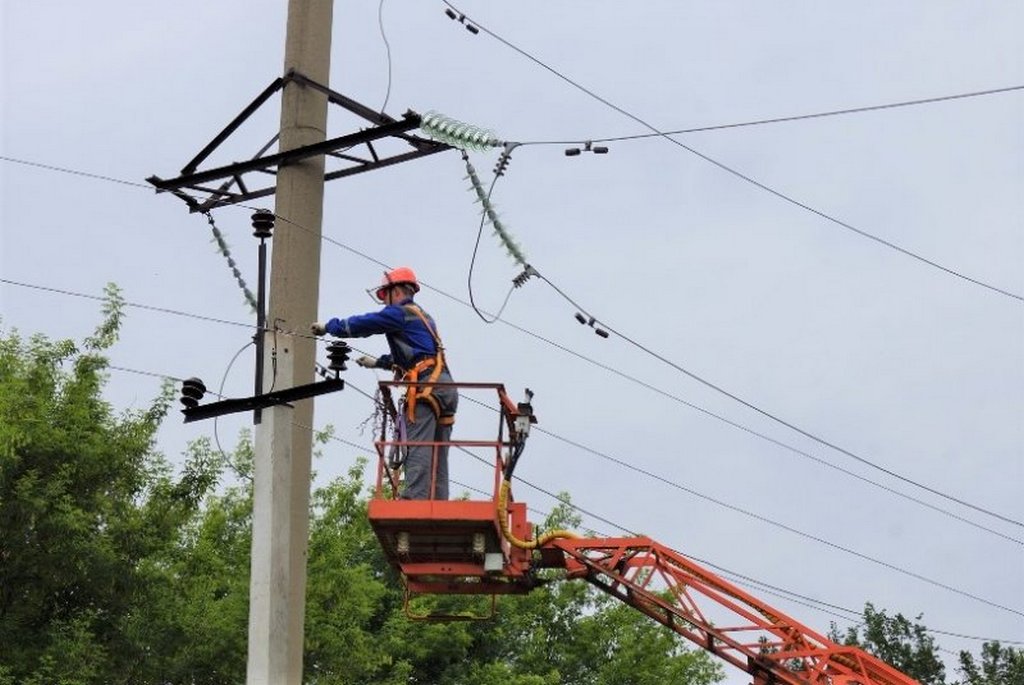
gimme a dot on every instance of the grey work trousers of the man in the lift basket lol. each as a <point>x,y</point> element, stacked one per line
<point>420,459</point>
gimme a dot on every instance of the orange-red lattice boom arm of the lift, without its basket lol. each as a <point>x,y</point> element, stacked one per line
<point>718,616</point>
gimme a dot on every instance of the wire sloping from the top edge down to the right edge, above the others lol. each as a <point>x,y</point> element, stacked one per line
<point>739,175</point>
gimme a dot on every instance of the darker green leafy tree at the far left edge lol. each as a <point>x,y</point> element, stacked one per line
<point>84,503</point>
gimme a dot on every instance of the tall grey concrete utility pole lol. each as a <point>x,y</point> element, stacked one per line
<point>284,445</point>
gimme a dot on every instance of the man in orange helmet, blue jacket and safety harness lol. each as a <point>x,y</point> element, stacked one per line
<point>416,355</point>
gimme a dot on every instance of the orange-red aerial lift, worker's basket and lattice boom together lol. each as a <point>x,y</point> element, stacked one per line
<point>432,543</point>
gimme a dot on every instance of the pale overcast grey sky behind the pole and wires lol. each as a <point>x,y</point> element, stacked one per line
<point>902,364</point>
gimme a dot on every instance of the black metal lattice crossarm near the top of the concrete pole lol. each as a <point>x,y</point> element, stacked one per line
<point>356,151</point>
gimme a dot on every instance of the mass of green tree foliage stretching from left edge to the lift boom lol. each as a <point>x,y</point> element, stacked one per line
<point>114,569</point>
